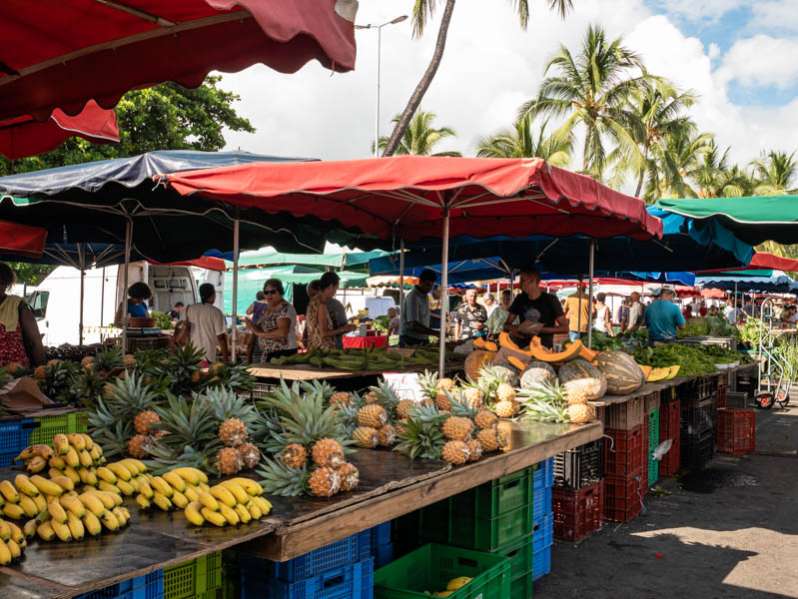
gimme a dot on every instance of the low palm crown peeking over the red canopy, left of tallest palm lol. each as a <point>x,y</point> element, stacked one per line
<point>522,142</point>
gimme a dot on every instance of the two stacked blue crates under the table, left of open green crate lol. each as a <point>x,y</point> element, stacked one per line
<point>344,569</point>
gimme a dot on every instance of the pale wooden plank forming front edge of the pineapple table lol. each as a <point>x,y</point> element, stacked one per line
<point>531,443</point>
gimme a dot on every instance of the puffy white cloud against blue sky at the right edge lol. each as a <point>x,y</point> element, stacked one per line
<point>761,60</point>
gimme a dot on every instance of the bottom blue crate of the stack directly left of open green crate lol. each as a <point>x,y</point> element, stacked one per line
<point>353,581</point>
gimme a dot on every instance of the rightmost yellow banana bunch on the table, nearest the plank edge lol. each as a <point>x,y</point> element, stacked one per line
<point>231,502</point>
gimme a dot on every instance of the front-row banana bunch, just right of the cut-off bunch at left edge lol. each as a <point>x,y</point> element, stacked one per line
<point>70,516</point>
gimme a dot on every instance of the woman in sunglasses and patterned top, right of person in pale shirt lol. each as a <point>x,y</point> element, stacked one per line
<point>275,328</point>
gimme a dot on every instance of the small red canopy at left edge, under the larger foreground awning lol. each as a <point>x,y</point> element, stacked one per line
<point>25,136</point>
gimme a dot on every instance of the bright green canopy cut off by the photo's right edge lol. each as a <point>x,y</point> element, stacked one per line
<point>753,219</point>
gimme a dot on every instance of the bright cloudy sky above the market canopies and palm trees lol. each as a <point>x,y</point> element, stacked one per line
<point>737,55</point>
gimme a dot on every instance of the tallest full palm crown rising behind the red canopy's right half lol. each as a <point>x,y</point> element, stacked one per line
<point>592,90</point>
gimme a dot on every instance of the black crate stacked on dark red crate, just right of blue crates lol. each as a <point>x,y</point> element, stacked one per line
<point>578,498</point>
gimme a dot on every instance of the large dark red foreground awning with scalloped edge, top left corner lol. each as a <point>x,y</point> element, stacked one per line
<point>61,53</point>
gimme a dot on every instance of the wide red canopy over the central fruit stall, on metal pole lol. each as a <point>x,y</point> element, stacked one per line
<point>408,195</point>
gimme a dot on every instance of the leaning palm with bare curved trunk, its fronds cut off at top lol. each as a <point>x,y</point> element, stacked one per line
<point>422,11</point>
